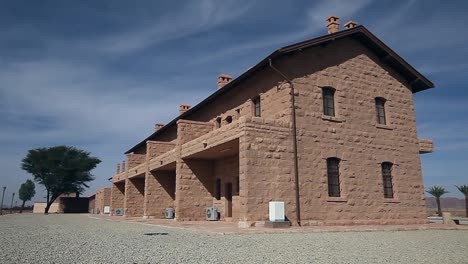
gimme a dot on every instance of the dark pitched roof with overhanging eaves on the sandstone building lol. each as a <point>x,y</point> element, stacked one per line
<point>415,79</point>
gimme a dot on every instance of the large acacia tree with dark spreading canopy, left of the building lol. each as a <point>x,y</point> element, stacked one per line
<point>60,169</point>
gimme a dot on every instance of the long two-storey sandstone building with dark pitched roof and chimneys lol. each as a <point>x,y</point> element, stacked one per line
<point>346,153</point>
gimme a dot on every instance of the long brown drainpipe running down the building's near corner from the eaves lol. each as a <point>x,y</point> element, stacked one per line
<point>294,132</point>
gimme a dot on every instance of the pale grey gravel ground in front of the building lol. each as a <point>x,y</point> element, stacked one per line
<point>31,238</point>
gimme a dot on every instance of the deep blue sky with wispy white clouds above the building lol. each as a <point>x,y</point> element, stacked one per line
<point>99,74</point>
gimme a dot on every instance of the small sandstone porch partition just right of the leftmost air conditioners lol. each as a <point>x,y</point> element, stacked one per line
<point>134,197</point>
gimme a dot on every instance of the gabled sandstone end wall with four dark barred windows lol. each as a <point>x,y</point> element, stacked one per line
<point>353,136</point>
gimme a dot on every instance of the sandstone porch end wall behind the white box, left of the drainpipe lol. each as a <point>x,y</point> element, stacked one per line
<point>266,168</point>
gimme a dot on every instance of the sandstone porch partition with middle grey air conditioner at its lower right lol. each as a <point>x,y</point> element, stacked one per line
<point>159,193</point>
